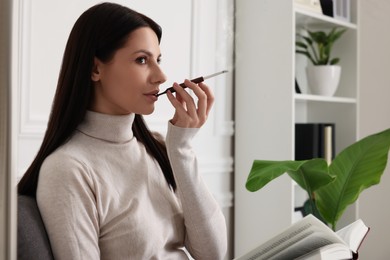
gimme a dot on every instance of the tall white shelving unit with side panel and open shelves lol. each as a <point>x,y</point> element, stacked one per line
<point>267,109</point>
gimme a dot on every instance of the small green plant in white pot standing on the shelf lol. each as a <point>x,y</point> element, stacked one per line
<point>324,74</point>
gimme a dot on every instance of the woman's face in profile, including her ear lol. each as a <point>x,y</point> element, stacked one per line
<point>128,83</point>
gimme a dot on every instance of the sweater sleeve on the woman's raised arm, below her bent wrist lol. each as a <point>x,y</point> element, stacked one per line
<point>206,236</point>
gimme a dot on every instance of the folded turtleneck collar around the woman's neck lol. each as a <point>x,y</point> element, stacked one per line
<point>111,128</point>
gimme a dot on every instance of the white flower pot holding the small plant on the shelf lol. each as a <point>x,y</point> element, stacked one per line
<point>323,79</point>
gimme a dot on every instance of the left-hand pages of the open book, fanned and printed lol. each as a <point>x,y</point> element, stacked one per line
<point>302,237</point>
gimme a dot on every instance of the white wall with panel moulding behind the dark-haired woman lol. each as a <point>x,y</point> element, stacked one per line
<point>197,40</point>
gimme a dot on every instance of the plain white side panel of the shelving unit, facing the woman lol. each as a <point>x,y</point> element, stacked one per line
<point>264,117</point>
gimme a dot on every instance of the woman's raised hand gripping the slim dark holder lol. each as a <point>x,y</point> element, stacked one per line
<point>188,114</point>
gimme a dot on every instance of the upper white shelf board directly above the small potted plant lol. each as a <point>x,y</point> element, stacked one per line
<point>304,18</point>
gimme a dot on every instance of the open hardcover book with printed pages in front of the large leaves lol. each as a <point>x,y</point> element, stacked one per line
<point>311,239</point>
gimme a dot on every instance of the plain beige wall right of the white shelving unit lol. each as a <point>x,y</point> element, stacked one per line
<point>374,106</point>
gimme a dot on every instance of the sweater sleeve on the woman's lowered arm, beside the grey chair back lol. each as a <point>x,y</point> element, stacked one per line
<point>67,204</point>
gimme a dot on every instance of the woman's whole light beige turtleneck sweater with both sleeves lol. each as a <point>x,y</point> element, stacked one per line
<point>102,196</point>
